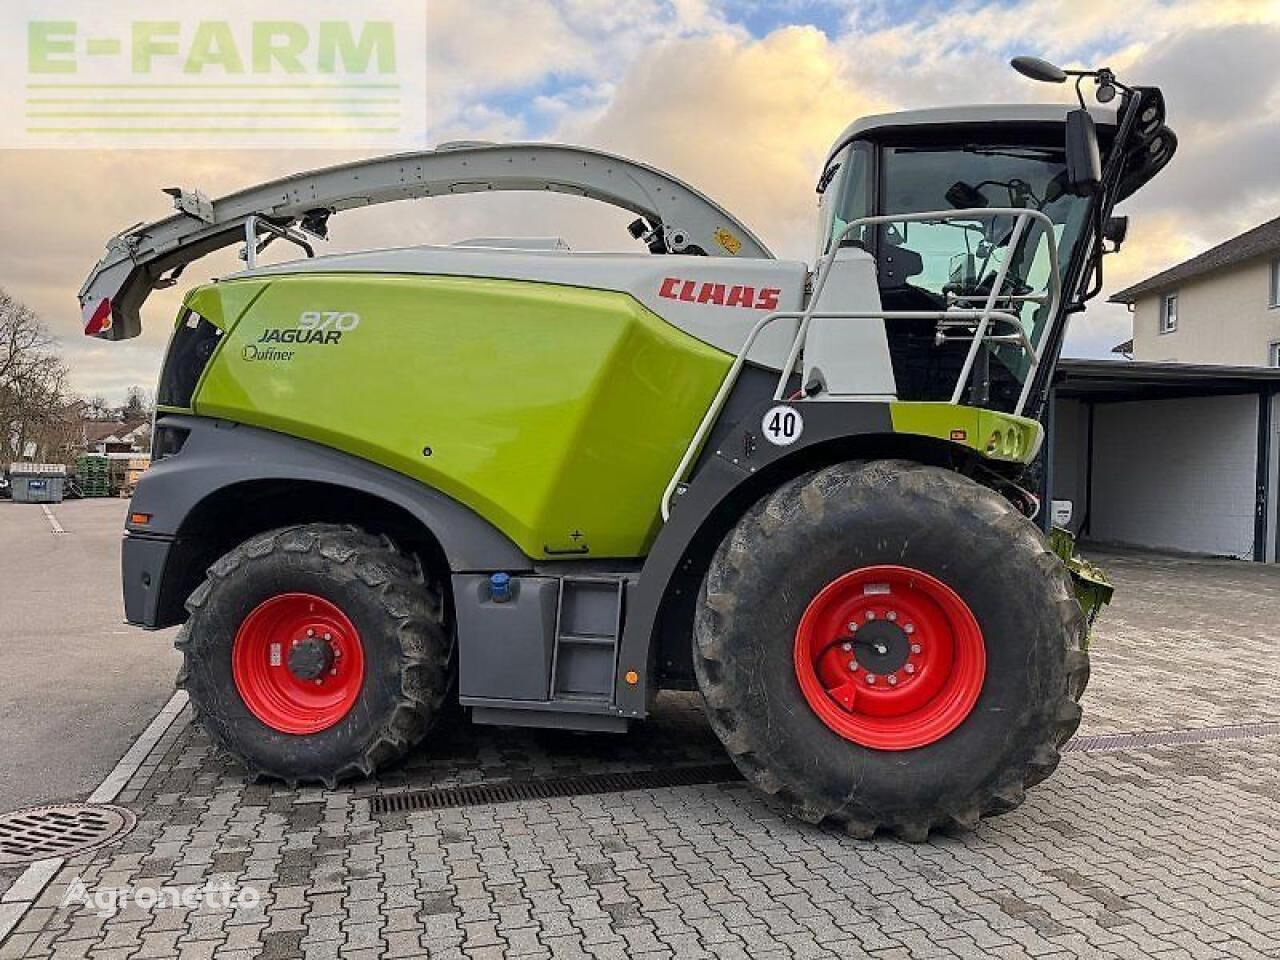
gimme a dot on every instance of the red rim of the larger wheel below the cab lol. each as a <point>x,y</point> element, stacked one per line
<point>890,657</point>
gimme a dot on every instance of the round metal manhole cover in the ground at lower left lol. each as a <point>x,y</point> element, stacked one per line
<point>39,833</point>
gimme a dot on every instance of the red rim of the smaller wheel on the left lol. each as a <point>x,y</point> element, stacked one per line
<point>299,664</point>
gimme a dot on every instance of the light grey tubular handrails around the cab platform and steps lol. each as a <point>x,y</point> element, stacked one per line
<point>985,317</point>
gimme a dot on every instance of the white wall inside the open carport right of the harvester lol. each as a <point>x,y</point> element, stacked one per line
<point>1177,474</point>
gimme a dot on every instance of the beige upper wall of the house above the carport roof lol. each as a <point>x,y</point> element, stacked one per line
<point>1223,318</point>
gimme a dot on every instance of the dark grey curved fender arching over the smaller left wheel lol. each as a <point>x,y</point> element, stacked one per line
<point>220,455</point>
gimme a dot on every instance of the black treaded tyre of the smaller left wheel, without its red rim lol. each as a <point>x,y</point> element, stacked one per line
<point>400,615</point>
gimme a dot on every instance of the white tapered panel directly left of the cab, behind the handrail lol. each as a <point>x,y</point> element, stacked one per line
<point>851,356</point>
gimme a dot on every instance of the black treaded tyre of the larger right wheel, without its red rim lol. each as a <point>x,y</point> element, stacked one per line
<point>821,525</point>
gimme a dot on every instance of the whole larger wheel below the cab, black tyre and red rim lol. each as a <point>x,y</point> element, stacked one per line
<point>963,685</point>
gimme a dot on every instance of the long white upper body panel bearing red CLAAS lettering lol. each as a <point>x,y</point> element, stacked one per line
<point>716,300</point>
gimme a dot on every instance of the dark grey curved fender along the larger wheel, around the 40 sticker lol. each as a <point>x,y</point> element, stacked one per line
<point>729,474</point>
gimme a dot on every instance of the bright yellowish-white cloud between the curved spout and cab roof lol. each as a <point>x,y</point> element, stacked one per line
<point>747,122</point>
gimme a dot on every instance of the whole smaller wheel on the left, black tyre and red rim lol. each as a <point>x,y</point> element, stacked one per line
<point>376,607</point>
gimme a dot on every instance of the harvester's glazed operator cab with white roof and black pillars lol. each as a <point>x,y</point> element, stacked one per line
<point>979,168</point>
